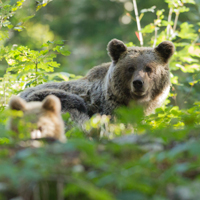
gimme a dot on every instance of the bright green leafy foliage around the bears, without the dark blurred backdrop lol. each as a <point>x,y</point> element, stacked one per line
<point>132,157</point>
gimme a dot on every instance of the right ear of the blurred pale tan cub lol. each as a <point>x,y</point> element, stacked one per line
<point>52,103</point>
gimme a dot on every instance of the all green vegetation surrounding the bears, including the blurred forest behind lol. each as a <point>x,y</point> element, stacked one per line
<point>159,161</point>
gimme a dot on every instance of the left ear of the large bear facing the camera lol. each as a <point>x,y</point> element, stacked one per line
<point>115,49</point>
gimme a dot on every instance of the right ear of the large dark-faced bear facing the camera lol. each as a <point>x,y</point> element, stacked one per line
<point>165,50</point>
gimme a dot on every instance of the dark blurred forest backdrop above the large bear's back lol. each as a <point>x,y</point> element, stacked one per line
<point>87,26</point>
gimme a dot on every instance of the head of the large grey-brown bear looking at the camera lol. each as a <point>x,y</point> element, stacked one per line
<point>139,73</point>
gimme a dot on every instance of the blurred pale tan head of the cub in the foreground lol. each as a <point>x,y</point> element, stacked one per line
<point>40,119</point>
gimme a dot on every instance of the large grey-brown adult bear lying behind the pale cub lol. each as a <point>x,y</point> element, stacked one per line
<point>139,74</point>
